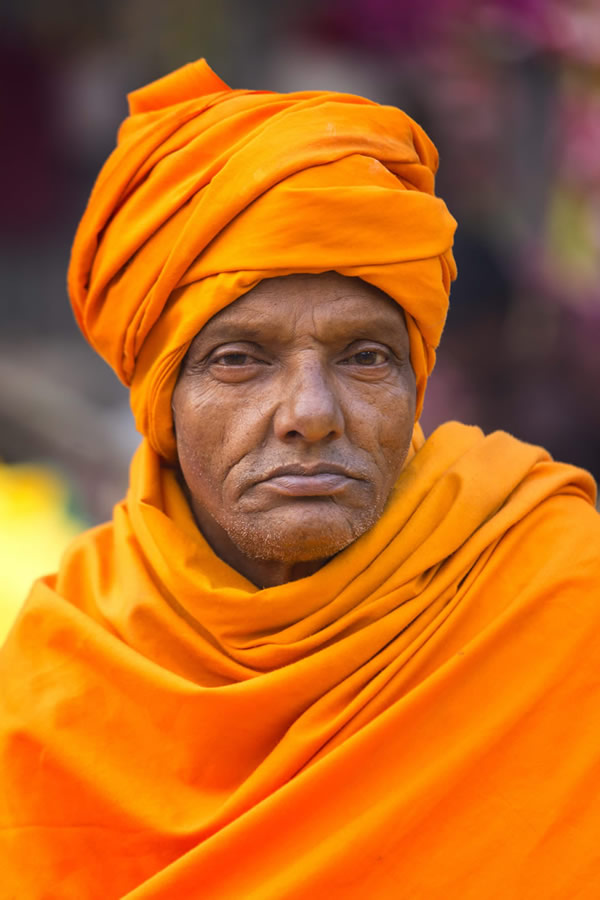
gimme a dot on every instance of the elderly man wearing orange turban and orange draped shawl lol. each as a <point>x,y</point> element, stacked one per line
<point>313,654</point>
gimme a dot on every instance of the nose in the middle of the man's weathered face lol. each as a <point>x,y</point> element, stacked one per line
<point>309,408</point>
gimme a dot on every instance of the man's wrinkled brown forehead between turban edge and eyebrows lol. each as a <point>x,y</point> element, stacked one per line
<point>328,304</point>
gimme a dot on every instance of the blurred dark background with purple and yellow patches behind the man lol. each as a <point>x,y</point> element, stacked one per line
<point>509,90</point>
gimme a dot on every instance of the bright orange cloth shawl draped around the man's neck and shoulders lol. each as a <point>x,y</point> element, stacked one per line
<point>417,719</point>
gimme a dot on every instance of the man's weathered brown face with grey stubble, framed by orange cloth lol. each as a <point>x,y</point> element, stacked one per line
<point>293,413</point>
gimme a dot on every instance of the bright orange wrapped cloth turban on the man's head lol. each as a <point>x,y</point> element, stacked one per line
<point>210,190</point>
